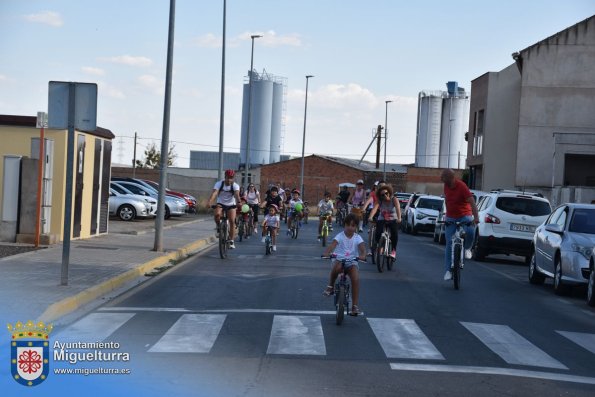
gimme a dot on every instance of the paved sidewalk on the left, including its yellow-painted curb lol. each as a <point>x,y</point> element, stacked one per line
<point>100,267</point>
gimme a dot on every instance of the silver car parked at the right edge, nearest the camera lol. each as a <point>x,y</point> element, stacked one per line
<point>563,246</point>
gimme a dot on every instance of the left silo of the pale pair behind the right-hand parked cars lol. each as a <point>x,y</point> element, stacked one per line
<point>428,129</point>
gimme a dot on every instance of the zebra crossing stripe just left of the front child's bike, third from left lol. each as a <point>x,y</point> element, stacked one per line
<point>297,335</point>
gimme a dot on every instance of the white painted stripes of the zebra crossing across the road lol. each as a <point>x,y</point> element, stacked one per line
<point>302,334</point>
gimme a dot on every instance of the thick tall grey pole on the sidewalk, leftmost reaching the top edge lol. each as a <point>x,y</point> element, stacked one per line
<point>165,134</point>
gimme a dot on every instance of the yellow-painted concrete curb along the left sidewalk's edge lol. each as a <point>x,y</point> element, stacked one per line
<point>70,304</point>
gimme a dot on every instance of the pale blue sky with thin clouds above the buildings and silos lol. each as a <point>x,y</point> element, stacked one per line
<point>361,53</point>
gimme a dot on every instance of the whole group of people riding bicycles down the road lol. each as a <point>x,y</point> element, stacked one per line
<point>378,205</point>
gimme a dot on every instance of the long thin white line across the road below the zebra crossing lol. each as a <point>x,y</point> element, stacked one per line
<point>493,371</point>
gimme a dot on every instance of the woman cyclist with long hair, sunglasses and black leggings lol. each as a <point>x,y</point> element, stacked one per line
<point>389,213</point>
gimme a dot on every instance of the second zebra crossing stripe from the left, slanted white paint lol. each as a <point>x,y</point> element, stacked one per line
<point>192,333</point>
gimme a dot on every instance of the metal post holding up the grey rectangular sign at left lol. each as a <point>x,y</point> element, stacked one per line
<point>69,177</point>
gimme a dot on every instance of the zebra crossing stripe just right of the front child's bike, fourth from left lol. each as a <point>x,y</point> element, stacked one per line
<point>402,338</point>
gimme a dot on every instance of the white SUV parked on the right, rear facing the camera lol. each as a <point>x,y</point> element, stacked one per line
<point>507,222</point>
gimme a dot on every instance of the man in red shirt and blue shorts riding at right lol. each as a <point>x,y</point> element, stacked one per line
<point>460,207</point>
